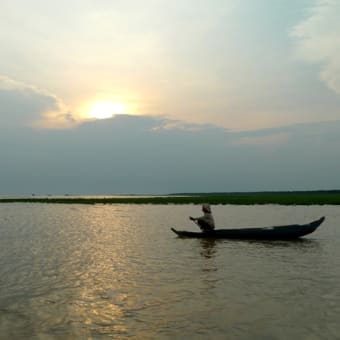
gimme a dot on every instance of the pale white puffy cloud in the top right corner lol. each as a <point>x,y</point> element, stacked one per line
<point>318,40</point>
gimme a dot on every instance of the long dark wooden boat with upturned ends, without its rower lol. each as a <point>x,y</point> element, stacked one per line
<point>285,232</point>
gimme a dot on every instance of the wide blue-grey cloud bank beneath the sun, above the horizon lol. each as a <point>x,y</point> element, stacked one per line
<point>131,154</point>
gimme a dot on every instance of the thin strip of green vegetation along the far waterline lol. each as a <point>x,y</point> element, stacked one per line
<point>249,198</point>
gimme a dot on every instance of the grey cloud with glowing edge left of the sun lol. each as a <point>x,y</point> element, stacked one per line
<point>26,105</point>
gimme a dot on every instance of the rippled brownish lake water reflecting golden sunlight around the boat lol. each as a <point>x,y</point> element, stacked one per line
<point>117,271</point>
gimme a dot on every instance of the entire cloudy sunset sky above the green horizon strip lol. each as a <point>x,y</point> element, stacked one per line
<point>155,96</point>
